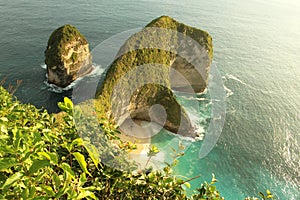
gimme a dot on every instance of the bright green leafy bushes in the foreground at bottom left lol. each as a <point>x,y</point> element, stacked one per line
<point>42,157</point>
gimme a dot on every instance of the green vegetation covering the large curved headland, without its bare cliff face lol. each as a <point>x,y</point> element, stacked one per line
<point>157,44</point>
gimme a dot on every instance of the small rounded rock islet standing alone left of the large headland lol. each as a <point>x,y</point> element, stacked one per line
<point>67,56</point>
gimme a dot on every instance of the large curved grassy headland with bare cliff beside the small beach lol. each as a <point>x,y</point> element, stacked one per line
<point>144,74</point>
